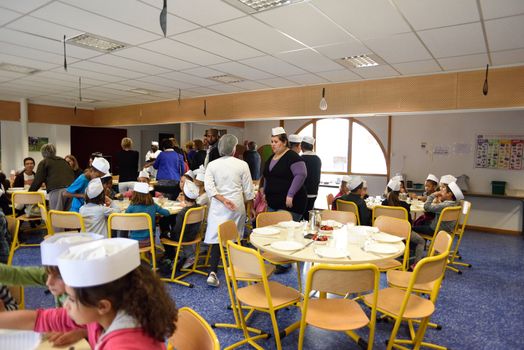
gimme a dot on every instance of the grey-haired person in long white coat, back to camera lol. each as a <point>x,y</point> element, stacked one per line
<point>228,185</point>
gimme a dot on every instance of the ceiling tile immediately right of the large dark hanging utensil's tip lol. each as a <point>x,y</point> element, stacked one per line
<point>218,44</point>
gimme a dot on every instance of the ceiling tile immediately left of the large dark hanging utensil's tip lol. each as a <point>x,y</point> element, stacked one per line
<point>85,21</point>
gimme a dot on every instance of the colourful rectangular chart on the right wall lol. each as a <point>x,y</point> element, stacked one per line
<point>500,152</point>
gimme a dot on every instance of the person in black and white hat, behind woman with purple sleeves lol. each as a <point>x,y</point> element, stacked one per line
<point>313,166</point>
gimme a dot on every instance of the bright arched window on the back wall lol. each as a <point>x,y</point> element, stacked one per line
<point>345,146</point>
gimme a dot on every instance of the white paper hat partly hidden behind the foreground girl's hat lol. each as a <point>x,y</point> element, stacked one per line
<point>54,245</point>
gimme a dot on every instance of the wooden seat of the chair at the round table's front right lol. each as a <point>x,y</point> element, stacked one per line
<point>390,299</point>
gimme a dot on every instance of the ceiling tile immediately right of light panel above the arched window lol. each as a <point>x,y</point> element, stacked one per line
<point>399,48</point>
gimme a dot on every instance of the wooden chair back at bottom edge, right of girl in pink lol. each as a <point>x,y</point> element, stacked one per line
<point>192,332</point>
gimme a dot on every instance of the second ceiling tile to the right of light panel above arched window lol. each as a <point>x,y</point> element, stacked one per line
<point>454,41</point>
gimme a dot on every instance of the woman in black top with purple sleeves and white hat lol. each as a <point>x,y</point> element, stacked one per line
<point>284,175</point>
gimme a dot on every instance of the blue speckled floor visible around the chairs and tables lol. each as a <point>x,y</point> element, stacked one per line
<point>480,309</point>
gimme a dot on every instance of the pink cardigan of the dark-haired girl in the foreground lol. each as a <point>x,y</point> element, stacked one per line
<point>57,320</point>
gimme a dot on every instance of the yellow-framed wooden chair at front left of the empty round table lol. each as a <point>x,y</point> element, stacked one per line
<point>265,296</point>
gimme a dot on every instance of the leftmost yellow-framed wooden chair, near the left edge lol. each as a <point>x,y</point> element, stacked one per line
<point>23,198</point>
